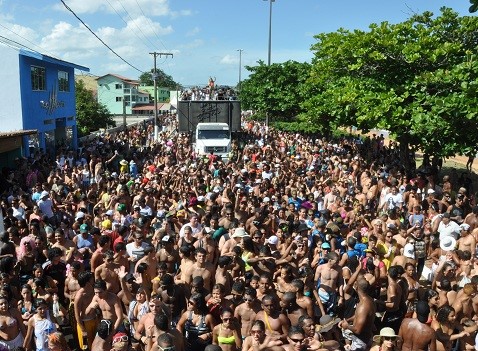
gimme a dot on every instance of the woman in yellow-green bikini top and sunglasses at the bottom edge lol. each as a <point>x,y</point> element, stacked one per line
<point>226,334</point>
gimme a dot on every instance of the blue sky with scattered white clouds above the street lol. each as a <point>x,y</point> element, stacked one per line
<point>203,35</point>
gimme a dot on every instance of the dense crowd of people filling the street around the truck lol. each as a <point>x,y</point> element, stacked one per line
<point>295,242</point>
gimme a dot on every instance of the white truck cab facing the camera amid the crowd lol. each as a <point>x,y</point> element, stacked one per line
<point>213,137</point>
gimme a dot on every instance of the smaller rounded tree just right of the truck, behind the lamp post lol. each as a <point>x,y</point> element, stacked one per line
<point>276,89</point>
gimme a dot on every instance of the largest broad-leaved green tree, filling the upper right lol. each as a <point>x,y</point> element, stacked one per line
<point>417,79</point>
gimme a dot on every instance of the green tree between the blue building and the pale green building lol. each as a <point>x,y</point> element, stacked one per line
<point>90,114</point>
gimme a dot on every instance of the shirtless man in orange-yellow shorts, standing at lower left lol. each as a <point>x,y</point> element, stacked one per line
<point>85,322</point>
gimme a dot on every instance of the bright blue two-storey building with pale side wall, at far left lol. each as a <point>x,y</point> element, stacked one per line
<point>39,102</point>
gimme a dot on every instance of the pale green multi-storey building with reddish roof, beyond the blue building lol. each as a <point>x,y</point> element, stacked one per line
<point>120,94</point>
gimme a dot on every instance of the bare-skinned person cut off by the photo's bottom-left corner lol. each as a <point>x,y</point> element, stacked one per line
<point>12,329</point>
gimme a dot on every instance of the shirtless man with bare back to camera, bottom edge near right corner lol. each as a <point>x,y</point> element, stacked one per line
<point>415,333</point>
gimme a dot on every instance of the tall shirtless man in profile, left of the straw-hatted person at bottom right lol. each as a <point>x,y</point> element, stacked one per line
<point>360,331</point>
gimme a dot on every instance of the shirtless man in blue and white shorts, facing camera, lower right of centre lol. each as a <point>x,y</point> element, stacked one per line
<point>328,277</point>
